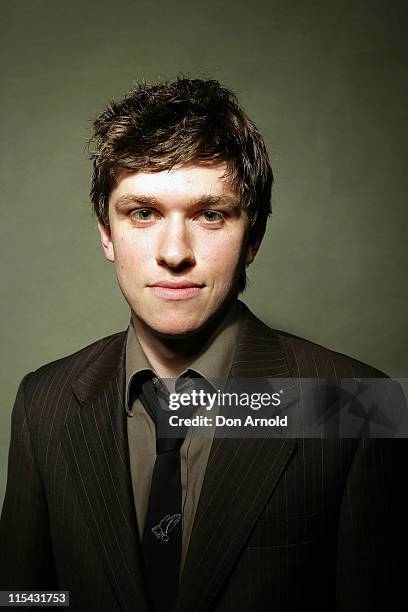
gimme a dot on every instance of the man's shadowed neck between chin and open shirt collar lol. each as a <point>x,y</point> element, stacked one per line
<point>170,357</point>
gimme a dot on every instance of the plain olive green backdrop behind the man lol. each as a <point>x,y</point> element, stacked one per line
<point>326,83</point>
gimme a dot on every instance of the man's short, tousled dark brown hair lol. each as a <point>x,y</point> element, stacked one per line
<point>157,127</point>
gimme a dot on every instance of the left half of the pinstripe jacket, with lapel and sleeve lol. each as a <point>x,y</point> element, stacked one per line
<point>77,443</point>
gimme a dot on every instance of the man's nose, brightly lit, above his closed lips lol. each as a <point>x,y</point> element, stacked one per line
<point>174,248</point>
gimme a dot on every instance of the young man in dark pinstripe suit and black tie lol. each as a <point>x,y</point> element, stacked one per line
<point>96,503</point>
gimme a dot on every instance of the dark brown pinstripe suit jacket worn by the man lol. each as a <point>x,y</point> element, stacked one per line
<point>282,525</point>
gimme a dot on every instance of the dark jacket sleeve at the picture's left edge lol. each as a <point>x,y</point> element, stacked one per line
<point>25,545</point>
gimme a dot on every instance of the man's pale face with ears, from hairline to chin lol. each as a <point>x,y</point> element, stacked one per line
<point>179,240</point>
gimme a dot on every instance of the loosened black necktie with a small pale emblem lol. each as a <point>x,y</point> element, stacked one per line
<point>162,532</point>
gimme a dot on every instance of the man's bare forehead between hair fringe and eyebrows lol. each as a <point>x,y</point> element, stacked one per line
<point>186,181</point>
